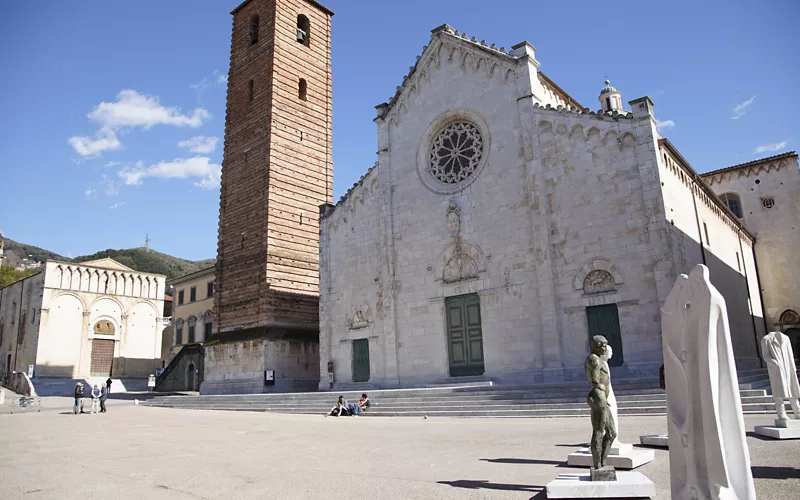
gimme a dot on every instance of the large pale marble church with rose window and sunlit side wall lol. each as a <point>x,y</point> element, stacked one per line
<point>504,224</point>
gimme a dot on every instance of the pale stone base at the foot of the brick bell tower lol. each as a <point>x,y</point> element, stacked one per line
<point>238,362</point>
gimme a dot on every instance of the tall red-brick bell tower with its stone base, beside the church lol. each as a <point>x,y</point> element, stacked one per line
<point>277,170</point>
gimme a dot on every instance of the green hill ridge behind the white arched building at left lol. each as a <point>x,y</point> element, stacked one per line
<point>140,259</point>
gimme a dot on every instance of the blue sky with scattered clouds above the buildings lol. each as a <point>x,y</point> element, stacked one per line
<point>112,113</point>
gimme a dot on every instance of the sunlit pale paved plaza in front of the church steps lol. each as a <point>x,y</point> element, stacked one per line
<point>157,453</point>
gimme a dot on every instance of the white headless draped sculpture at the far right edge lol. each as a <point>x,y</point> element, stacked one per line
<point>776,348</point>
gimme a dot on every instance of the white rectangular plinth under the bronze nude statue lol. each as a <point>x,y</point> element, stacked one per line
<point>578,485</point>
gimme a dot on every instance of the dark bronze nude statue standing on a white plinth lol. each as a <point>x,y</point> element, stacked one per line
<point>604,430</point>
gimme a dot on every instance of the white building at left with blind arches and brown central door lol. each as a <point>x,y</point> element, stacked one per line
<point>78,320</point>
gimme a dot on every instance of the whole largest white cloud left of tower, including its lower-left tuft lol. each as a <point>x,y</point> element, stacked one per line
<point>131,110</point>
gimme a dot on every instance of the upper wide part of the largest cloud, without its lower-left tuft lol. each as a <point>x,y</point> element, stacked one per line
<point>132,109</point>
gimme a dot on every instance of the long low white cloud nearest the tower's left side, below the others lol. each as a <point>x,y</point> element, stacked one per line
<point>200,167</point>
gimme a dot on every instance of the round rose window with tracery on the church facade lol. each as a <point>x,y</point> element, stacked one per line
<point>456,152</point>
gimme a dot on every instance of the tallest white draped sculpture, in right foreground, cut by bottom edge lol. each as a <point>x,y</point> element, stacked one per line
<point>709,458</point>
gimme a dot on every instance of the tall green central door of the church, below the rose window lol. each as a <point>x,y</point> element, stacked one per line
<point>464,335</point>
